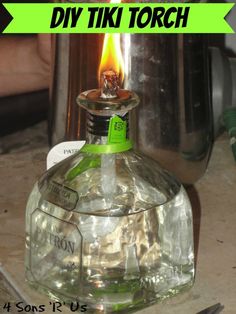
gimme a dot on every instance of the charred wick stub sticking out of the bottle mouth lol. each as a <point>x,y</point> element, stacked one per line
<point>110,84</point>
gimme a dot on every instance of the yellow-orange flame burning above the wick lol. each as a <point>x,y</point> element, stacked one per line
<point>111,54</point>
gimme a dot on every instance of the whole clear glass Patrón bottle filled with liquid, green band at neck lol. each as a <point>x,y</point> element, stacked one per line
<point>107,226</point>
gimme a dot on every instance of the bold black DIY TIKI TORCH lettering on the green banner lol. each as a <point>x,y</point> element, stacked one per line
<point>111,17</point>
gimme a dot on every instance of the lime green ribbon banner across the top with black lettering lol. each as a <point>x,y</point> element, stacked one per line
<point>115,18</point>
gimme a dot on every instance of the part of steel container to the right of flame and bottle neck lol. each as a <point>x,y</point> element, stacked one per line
<point>173,125</point>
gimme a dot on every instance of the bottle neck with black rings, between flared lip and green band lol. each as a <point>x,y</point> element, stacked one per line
<point>99,128</point>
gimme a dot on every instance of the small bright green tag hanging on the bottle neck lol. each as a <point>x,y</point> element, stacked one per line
<point>117,130</point>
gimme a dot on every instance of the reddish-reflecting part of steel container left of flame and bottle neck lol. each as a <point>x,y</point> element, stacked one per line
<point>76,61</point>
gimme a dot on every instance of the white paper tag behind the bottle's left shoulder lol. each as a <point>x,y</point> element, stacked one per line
<point>62,151</point>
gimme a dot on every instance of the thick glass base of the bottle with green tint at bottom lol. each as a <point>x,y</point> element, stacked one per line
<point>121,298</point>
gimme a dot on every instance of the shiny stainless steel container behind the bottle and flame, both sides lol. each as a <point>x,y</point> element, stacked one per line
<point>173,123</point>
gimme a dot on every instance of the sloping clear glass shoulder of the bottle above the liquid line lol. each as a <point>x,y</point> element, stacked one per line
<point>119,183</point>
